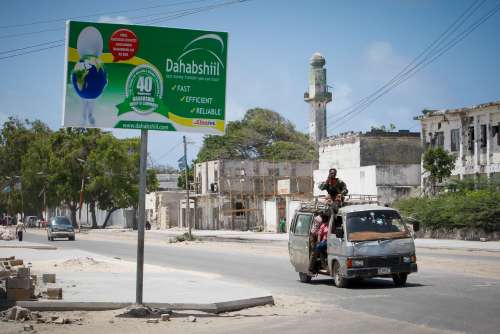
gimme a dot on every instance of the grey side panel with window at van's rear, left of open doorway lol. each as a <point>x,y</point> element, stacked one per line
<point>299,242</point>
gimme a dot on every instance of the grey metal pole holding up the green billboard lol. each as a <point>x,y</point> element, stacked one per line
<point>142,211</point>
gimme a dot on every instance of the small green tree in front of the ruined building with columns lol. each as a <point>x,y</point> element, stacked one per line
<point>438,164</point>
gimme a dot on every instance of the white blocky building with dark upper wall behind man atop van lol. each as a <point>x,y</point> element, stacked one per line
<point>385,164</point>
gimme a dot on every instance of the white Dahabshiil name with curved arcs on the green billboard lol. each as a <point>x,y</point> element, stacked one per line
<point>211,63</point>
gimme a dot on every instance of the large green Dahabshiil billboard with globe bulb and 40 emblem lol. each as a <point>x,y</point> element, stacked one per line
<point>140,77</point>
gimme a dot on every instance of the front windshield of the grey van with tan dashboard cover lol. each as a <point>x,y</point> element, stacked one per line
<point>375,225</point>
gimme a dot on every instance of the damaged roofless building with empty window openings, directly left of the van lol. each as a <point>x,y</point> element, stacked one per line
<point>250,194</point>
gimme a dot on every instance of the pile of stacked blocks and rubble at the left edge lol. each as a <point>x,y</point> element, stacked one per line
<point>17,283</point>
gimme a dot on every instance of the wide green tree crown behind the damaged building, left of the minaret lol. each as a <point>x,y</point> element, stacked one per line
<point>261,134</point>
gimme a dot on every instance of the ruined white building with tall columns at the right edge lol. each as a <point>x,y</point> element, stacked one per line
<point>471,133</point>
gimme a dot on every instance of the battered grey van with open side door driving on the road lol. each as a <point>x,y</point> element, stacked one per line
<point>363,241</point>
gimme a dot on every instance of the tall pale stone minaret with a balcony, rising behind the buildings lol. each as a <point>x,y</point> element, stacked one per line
<point>317,97</point>
